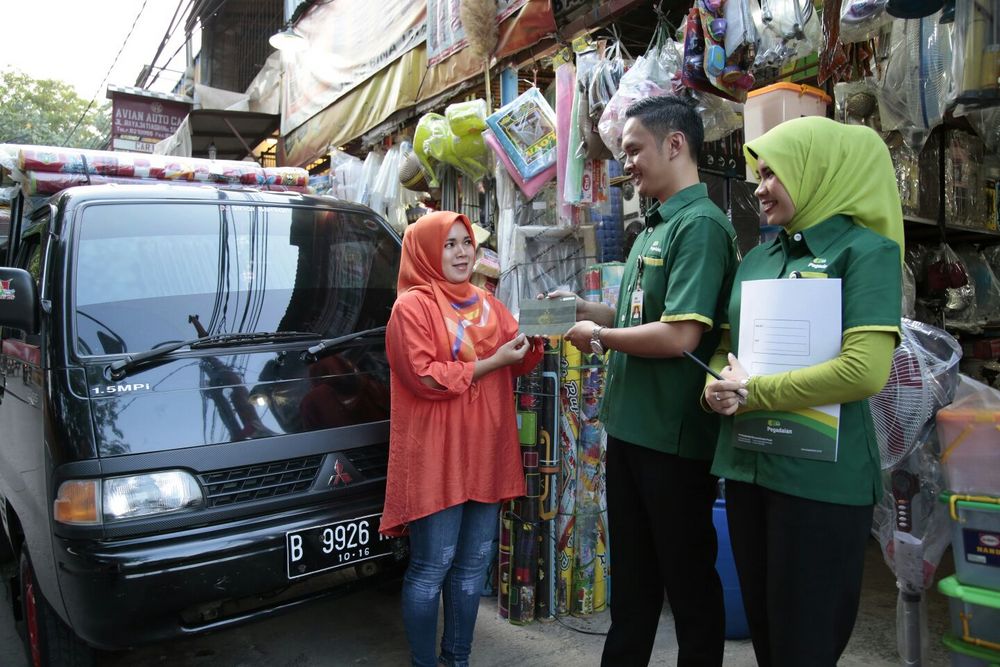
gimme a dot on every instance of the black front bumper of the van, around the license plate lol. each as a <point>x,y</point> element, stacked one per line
<point>123,593</point>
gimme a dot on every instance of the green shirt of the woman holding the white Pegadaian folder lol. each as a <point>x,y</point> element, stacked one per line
<point>871,293</point>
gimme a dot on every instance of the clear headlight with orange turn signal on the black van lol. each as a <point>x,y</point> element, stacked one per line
<point>88,502</point>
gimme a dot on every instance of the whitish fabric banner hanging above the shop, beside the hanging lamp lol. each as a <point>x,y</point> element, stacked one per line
<point>348,42</point>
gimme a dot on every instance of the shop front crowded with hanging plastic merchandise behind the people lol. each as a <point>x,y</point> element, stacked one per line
<point>540,172</point>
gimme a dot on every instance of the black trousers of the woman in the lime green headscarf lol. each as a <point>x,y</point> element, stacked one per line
<point>799,563</point>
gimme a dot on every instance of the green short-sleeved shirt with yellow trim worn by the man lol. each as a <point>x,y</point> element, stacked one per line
<point>688,259</point>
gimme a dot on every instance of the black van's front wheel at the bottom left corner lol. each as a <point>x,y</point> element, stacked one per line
<point>49,642</point>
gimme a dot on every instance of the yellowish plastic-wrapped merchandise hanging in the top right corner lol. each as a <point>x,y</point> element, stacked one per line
<point>977,49</point>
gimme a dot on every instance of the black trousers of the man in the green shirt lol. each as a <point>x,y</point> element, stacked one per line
<point>662,538</point>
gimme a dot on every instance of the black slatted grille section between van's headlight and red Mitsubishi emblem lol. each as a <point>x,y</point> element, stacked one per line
<point>264,480</point>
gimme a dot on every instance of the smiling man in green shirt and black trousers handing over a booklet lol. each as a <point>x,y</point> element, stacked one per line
<point>660,442</point>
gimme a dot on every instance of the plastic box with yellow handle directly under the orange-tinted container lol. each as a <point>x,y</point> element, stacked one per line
<point>975,539</point>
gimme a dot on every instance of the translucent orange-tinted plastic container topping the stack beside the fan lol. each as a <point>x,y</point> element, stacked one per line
<point>970,450</point>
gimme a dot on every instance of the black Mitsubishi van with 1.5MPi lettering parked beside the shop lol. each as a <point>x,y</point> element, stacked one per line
<point>194,398</point>
